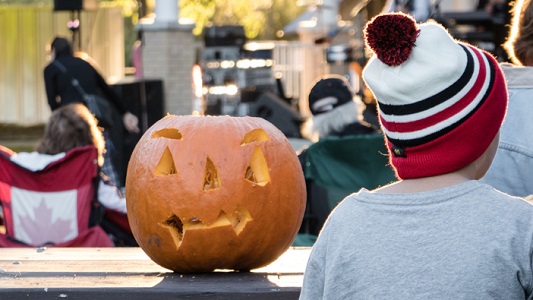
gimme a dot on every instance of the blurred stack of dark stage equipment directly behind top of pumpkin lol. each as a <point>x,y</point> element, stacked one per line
<point>238,80</point>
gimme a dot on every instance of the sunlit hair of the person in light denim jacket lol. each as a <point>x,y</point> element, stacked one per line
<point>519,44</point>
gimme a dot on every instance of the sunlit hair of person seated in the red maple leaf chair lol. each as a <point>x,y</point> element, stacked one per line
<point>71,126</point>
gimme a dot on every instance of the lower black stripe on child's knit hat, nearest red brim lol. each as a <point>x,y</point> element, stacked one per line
<point>437,134</point>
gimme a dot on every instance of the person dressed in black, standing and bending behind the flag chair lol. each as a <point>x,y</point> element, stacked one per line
<point>60,91</point>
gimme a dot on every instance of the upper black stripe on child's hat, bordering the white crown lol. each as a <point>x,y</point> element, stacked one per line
<point>446,94</point>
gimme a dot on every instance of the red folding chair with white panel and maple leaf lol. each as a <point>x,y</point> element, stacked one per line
<point>54,206</point>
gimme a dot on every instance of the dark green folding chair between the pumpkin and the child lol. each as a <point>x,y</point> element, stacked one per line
<point>335,167</point>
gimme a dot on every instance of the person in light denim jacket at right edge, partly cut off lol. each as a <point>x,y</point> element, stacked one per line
<point>512,169</point>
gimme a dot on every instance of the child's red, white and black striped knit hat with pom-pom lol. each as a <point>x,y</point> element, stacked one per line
<point>441,102</point>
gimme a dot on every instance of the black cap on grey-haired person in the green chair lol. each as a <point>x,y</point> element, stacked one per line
<point>328,93</point>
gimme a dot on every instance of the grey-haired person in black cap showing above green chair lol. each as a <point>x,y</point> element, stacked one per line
<point>336,110</point>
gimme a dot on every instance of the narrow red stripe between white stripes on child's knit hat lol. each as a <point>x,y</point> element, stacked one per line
<point>405,127</point>
